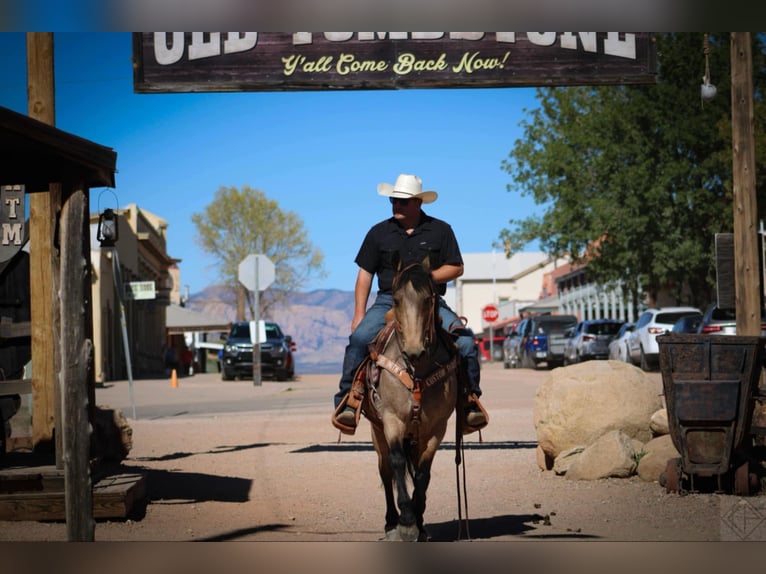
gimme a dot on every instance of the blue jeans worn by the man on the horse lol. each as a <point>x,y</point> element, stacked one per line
<point>375,319</point>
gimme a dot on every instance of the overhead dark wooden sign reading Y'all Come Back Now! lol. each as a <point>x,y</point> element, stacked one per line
<point>274,61</point>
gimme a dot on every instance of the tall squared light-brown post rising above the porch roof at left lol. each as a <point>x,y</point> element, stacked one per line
<point>43,259</point>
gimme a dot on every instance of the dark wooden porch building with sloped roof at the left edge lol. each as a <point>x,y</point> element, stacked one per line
<point>55,171</point>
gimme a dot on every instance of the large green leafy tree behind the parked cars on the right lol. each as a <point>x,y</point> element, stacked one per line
<point>636,180</point>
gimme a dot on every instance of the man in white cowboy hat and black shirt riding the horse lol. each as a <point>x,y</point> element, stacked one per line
<point>409,236</point>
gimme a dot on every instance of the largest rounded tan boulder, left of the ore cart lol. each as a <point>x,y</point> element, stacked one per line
<point>576,405</point>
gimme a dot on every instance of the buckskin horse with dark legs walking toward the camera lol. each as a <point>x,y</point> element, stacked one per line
<point>410,396</point>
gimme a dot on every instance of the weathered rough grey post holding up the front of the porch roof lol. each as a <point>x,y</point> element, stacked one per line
<point>78,348</point>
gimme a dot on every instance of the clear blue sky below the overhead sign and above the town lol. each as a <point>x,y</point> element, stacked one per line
<point>318,154</point>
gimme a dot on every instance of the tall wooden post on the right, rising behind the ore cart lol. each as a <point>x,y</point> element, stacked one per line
<point>747,275</point>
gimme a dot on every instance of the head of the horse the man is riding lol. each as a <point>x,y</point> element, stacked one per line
<point>414,310</point>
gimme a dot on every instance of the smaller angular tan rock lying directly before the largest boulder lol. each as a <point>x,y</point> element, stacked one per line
<point>612,455</point>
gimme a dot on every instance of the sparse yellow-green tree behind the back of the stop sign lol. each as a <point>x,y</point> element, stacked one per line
<point>240,222</point>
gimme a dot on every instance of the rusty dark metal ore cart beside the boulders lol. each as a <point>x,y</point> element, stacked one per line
<point>710,383</point>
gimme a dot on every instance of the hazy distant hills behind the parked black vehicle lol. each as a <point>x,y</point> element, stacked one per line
<point>319,322</point>
